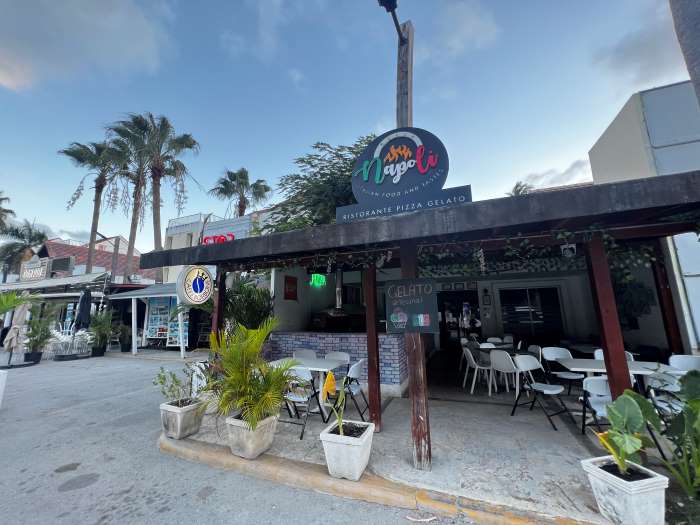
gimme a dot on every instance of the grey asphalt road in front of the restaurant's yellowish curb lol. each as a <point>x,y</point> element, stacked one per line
<point>78,445</point>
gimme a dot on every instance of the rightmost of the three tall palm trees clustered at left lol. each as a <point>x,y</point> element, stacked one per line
<point>163,149</point>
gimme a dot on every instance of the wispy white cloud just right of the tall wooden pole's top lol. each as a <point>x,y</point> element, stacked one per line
<point>461,26</point>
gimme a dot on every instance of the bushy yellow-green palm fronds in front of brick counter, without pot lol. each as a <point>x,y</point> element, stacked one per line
<point>246,383</point>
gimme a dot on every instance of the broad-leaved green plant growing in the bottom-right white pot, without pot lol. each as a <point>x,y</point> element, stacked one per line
<point>625,438</point>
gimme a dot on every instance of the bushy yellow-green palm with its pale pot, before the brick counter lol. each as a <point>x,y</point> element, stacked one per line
<point>249,392</point>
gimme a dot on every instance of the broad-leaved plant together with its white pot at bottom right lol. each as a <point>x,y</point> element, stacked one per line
<point>626,492</point>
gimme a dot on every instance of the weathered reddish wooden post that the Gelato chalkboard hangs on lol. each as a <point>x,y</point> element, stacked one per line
<point>417,376</point>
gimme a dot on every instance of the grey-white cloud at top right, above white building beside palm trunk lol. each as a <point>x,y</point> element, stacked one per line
<point>647,56</point>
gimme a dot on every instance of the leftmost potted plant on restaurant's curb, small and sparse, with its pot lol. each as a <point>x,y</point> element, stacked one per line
<point>181,415</point>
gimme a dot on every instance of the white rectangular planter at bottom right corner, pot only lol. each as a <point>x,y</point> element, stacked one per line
<point>623,502</point>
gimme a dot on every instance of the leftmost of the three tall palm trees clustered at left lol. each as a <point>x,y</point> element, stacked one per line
<point>99,158</point>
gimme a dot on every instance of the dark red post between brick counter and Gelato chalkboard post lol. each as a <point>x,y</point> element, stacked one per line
<point>369,286</point>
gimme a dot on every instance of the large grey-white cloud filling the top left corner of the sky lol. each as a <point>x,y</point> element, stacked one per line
<point>46,39</point>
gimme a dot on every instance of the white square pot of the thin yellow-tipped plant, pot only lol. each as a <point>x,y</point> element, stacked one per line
<point>347,457</point>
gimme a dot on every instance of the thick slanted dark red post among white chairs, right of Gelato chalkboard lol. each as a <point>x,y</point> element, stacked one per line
<point>610,330</point>
